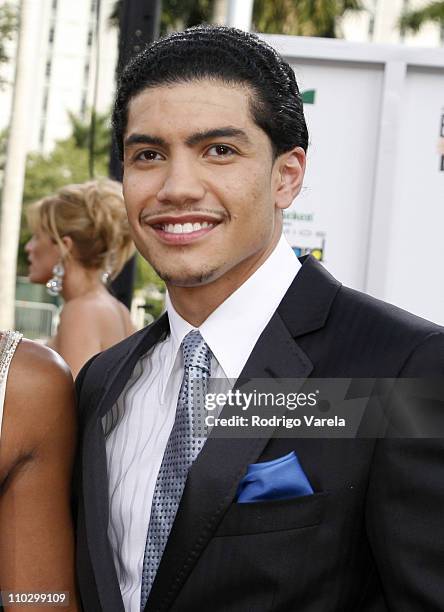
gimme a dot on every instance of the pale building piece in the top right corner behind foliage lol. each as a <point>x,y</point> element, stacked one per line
<point>380,24</point>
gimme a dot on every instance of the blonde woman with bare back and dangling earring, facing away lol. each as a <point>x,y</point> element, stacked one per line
<point>80,241</point>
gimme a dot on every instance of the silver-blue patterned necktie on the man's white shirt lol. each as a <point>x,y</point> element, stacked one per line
<point>182,449</point>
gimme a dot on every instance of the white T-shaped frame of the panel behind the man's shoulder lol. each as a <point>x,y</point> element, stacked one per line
<point>395,60</point>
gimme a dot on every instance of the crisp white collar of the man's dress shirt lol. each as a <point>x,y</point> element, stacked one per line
<point>232,330</point>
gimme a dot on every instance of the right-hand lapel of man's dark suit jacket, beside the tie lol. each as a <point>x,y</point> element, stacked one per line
<point>214,477</point>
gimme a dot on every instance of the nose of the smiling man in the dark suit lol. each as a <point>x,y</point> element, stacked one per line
<point>182,184</point>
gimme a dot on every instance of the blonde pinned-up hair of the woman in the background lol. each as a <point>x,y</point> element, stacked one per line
<point>93,215</point>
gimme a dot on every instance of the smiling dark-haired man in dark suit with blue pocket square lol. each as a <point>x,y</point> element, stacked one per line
<point>213,140</point>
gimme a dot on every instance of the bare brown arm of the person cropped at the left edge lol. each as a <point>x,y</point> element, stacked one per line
<point>36,454</point>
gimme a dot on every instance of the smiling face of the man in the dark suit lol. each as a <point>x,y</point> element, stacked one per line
<point>203,194</point>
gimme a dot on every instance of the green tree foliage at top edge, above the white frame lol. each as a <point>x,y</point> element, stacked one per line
<point>302,17</point>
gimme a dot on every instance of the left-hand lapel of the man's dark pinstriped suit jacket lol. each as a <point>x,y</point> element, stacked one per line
<point>94,476</point>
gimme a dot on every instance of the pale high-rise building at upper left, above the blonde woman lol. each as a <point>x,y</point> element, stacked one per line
<point>64,70</point>
